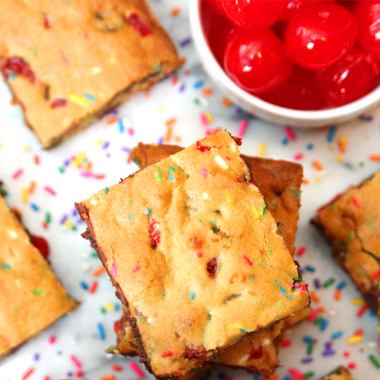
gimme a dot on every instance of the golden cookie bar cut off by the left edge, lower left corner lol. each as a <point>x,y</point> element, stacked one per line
<point>31,296</point>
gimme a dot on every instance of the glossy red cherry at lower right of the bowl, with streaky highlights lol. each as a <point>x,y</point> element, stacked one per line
<point>349,79</point>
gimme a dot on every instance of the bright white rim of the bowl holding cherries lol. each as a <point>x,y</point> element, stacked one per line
<point>346,111</point>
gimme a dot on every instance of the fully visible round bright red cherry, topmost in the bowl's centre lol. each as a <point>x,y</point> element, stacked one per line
<point>320,35</point>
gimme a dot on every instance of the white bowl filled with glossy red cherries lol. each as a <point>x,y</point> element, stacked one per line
<point>301,62</point>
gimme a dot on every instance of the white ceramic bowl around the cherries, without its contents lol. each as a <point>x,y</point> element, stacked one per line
<point>259,107</point>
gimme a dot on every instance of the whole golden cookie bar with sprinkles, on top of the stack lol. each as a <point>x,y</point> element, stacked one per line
<point>195,255</point>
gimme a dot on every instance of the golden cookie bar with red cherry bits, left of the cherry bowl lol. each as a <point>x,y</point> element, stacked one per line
<point>68,63</point>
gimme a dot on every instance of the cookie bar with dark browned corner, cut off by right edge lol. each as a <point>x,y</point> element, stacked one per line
<point>350,223</point>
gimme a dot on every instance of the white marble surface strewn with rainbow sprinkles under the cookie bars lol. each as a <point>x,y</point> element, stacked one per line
<point>70,255</point>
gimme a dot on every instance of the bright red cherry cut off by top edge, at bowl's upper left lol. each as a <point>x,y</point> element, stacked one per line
<point>254,14</point>
